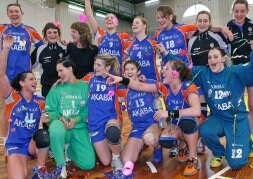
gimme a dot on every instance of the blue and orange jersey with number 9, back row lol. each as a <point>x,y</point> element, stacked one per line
<point>113,44</point>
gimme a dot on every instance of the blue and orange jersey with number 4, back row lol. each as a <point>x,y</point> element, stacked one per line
<point>144,52</point>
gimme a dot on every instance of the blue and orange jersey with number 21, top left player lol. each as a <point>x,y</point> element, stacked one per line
<point>19,55</point>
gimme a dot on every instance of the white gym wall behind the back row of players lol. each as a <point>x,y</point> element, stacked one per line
<point>37,17</point>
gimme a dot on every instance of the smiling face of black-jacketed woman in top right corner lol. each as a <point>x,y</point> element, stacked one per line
<point>240,12</point>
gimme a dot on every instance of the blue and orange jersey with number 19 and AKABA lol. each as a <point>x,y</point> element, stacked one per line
<point>102,102</point>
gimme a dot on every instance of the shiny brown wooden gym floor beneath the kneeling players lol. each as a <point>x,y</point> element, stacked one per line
<point>169,169</point>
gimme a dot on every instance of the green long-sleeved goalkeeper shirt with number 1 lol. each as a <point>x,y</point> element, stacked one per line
<point>70,101</point>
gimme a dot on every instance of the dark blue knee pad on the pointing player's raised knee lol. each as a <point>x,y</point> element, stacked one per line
<point>188,125</point>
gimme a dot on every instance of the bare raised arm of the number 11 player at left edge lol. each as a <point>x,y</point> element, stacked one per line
<point>5,86</point>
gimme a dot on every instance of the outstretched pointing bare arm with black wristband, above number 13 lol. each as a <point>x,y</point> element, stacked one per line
<point>133,84</point>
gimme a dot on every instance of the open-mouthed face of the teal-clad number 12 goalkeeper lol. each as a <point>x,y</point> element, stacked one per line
<point>216,60</point>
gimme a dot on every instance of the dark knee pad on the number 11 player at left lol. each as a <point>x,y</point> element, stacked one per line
<point>41,138</point>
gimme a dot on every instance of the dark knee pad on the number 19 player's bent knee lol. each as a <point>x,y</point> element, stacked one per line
<point>113,134</point>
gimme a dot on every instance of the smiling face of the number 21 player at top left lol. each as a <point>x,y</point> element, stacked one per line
<point>15,15</point>
